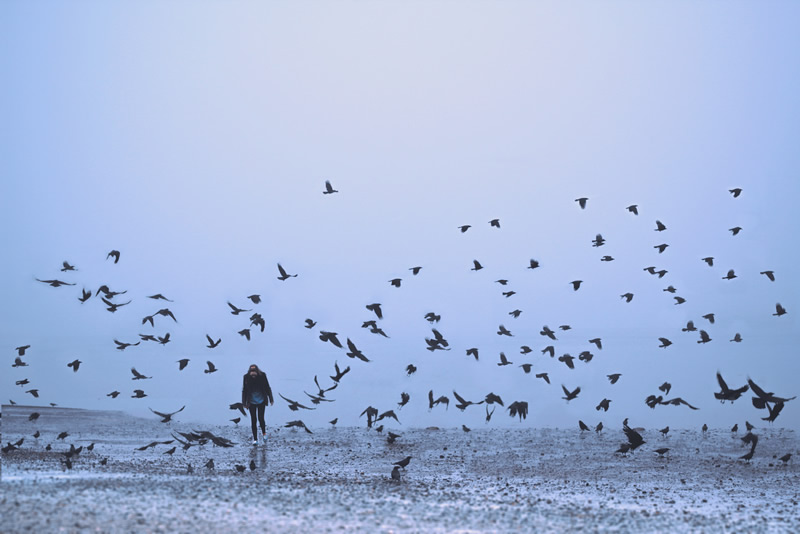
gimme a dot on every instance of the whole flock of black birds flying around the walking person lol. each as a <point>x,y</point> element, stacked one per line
<point>254,324</point>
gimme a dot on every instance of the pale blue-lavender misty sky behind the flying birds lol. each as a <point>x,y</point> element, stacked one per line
<point>196,138</point>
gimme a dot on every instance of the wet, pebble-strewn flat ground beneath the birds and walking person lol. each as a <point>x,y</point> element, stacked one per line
<point>338,479</point>
